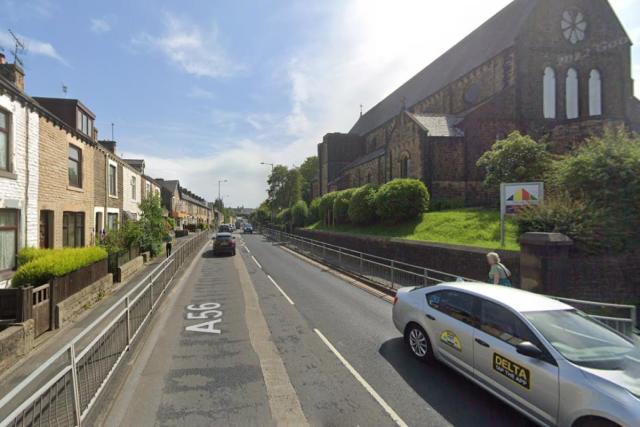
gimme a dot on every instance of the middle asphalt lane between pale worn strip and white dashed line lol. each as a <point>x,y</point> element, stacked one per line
<point>328,393</point>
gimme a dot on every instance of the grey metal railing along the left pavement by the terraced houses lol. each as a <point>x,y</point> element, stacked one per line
<point>63,389</point>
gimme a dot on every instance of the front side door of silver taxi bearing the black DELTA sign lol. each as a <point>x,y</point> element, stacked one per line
<point>531,384</point>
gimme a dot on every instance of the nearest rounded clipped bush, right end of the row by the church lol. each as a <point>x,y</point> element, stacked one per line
<point>401,200</point>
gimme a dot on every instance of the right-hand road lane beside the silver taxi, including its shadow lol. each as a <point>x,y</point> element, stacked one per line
<point>359,325</point>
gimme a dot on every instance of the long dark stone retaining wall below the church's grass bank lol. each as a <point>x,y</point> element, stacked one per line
<point>454,259</point>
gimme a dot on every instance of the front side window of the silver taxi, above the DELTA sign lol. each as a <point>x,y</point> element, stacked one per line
<point>498,321</point>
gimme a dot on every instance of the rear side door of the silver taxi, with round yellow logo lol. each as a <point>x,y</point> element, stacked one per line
<point>450,319</point>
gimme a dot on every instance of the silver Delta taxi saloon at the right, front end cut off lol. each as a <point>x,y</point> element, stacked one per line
<point>548,360</point>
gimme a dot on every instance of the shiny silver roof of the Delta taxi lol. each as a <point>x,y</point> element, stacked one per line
<point>519,300</point>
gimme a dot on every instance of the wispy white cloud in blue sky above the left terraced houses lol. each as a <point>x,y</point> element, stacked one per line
<point>195,50</point>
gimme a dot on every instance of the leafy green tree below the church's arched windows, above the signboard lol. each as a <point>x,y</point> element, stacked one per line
<point>518,158</point>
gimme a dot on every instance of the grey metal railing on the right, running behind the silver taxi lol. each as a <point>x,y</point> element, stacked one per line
<point>394,274</point>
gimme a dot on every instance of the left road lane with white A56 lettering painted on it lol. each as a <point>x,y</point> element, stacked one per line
<point>193,375</point>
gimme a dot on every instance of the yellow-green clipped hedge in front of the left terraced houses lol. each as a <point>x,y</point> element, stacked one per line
<point>52,263</point>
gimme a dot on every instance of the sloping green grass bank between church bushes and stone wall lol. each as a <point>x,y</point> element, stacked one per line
<point>471,227</point>
